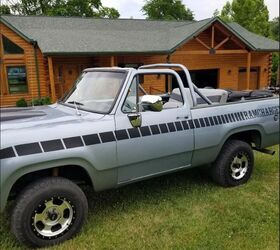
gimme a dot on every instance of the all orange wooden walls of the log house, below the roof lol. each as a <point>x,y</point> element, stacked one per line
<point>229,58</point>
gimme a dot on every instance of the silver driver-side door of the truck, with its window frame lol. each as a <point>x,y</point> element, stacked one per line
<point>163,142</point>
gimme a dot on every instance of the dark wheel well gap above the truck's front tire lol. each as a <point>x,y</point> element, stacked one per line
<point>77,174</point>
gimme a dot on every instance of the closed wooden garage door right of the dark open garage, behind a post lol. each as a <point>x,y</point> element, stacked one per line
<point>254,78</point>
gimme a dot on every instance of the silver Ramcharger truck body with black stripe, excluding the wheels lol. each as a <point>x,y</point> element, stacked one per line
<point>127,138</point>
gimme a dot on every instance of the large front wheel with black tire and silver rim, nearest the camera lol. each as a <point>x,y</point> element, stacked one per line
<point>49,211</point>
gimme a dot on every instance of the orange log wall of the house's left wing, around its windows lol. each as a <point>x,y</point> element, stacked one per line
<point>27,59</point>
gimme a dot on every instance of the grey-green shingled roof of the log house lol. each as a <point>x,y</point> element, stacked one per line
<point>73,35</point>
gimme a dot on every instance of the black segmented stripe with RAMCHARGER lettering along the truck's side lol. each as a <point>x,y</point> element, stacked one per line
<point>131,133</point>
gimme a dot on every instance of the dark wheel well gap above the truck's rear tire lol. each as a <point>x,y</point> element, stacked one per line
<point>252,137</point>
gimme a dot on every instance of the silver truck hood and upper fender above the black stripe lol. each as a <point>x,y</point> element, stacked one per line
<point>46,123</point>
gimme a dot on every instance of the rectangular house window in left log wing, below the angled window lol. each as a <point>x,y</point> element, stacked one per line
<point>17,82</point>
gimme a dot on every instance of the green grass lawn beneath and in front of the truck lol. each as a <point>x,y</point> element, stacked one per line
<point>184,210</point>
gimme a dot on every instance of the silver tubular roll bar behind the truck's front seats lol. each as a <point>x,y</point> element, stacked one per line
<point>192,87</point>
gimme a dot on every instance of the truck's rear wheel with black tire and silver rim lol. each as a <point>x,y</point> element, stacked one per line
<point>234,164</point>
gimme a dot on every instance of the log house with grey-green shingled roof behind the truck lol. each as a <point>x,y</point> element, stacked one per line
<point>43,56</point>
